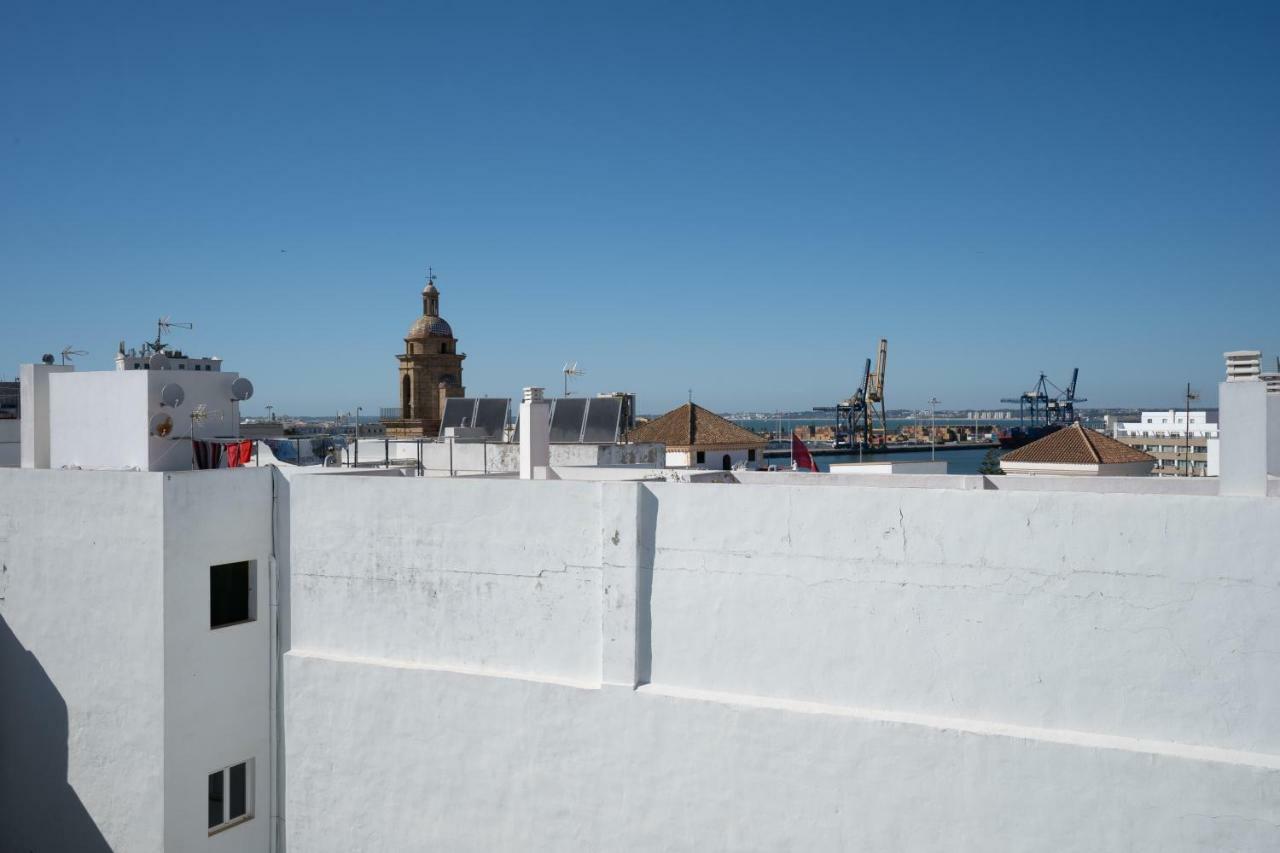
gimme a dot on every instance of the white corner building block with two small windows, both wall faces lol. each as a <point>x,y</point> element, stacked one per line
<point>117,695</point>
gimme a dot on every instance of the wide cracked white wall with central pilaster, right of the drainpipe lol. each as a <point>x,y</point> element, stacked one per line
<point>596,667</point>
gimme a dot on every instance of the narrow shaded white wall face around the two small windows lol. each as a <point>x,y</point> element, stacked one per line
<point>218,683</point>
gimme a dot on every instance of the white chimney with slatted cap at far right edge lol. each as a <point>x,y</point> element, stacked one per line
<point>1247,448</point>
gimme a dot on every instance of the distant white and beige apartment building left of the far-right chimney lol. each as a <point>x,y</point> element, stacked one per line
<point>1174,441</point>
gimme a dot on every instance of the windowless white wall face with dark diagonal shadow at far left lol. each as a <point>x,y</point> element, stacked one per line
<point>83,703</point>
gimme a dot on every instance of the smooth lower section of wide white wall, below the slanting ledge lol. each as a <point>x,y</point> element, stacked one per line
<point>456,761</point>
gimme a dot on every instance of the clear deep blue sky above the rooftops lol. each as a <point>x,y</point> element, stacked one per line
<point>735,198</point>
